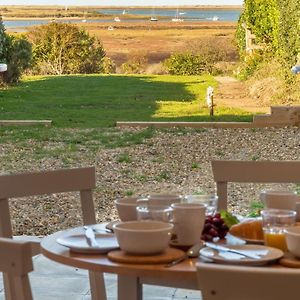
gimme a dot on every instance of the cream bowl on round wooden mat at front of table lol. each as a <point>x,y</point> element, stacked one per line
<point>143,237</point>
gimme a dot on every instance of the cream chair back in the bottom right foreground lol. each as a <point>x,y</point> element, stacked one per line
<point>225,282</point>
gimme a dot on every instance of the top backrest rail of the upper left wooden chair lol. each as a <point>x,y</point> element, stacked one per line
<point>47,182</point>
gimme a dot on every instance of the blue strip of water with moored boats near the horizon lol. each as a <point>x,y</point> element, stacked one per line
<point>191,15</point>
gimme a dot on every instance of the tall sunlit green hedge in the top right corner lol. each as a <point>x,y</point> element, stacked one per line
<point>276,26</point>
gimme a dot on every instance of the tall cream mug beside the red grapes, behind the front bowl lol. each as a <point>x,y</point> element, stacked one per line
<point>188,220</point>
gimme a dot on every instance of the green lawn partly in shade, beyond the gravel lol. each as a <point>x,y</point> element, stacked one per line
<point>93,101</point>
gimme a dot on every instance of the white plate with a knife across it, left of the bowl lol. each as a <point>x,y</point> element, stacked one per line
<point>78,243</point>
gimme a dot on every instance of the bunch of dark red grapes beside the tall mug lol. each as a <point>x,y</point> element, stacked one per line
<point>214,228</point>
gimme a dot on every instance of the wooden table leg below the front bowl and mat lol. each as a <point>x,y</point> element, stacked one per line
<point>129,288</point>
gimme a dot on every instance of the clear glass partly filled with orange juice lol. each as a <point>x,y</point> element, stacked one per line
<point>275,221</point>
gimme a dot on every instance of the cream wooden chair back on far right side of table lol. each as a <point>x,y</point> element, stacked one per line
<point>225,171</point>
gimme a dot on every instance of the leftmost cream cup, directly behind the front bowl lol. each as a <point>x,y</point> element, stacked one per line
<point>126,208</point>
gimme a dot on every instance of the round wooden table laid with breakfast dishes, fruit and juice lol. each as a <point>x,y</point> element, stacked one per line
<point>160,238</point>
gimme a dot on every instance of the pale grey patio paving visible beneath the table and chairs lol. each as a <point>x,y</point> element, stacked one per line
<point>53,281</point>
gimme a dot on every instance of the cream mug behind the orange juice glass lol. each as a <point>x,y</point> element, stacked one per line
<point>279,199</point>
